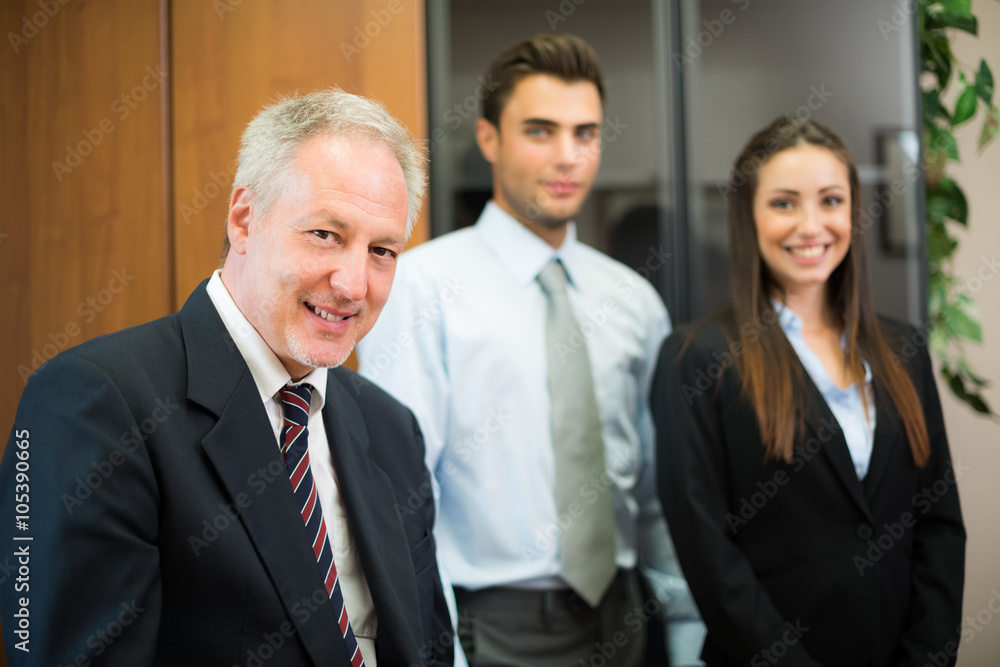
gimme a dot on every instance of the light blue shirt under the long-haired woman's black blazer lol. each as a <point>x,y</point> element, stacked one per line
<point>857,422</point>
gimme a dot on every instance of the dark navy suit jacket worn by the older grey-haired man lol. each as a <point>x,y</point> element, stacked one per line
<point>164,529</point>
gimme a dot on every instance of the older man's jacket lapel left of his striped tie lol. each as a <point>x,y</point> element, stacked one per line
<point>240,447</point>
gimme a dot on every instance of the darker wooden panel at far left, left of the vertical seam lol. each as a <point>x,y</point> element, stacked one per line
<point>82,180</point>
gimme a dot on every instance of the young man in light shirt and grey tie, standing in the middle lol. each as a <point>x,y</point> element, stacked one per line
<point>526,357</point>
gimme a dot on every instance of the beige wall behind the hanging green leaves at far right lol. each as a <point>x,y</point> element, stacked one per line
<point>976,441</point>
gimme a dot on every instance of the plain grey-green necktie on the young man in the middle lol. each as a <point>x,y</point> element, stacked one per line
<point>583,490</point>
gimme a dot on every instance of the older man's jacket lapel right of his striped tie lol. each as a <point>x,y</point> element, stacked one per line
<point>369,498</point>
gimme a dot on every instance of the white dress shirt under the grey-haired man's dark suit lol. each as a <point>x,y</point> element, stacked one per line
<point>270,376</point>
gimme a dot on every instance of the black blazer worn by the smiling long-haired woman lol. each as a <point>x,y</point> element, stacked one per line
<point>801,561</point>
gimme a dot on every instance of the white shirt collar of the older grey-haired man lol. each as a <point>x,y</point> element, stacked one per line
<point>268,372</point>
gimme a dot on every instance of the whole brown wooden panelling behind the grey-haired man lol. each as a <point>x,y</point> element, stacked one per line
<point>120,121</point>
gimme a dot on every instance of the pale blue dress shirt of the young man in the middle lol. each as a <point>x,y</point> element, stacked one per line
<point>461,341</point>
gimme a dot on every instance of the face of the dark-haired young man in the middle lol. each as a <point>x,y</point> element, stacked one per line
<point>546,152</point>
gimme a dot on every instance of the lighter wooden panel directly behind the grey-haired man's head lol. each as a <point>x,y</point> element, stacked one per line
<point>231,59</point>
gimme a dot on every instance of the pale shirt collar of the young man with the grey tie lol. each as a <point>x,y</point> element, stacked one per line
<point>523,253</point>
